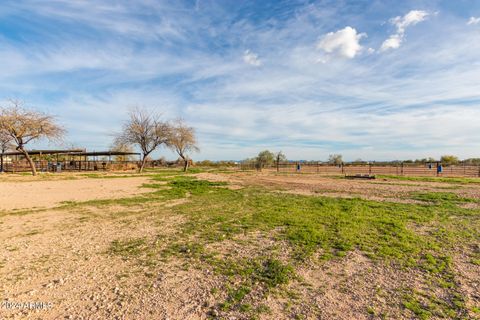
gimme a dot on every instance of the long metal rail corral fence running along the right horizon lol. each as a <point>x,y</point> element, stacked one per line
<point>401,169</point>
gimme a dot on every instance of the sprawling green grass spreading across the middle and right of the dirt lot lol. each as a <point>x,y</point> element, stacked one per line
<point>385,232</point>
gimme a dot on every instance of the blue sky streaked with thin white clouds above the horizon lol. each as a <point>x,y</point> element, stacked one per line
<point>376,80</point>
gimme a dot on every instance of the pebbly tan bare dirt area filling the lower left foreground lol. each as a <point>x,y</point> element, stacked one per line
<point>66,262</point>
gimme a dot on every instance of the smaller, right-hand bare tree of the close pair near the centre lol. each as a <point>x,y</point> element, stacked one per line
<point>182,140</point>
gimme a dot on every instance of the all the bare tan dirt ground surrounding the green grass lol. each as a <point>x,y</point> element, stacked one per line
<point>59,256</point>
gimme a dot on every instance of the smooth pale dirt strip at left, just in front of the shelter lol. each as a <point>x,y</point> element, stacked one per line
<point>47,194</point>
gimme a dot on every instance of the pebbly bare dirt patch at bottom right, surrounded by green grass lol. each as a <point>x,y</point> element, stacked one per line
<point>353,287</point>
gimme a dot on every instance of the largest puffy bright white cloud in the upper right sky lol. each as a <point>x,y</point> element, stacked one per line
<point>344,42</point>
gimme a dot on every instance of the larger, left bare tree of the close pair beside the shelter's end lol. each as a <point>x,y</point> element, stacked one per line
<point>145,130</point>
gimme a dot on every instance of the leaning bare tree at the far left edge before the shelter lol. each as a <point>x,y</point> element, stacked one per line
<point>24,126</point>
